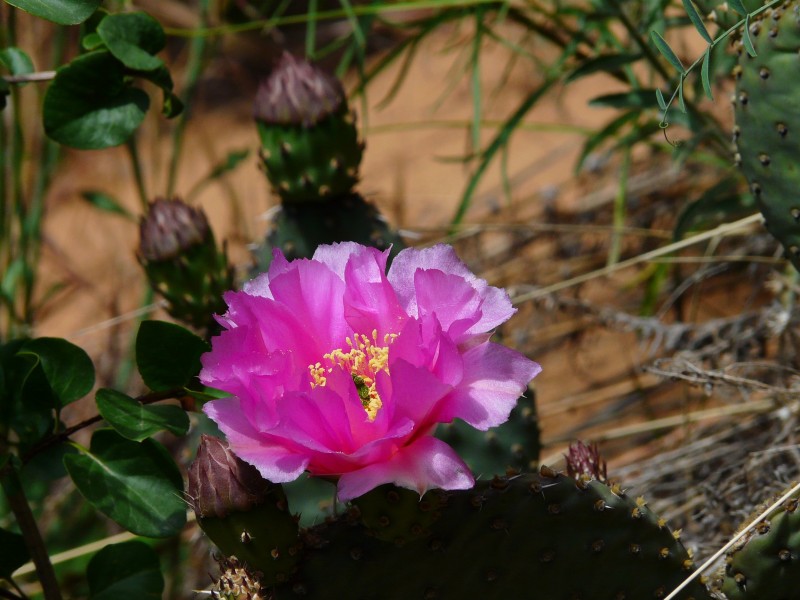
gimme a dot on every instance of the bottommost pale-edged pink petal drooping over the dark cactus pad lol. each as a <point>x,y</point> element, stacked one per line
<point>427,463</point>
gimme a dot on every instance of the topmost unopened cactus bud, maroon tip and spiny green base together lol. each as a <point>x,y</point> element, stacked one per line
<point>309,142</point>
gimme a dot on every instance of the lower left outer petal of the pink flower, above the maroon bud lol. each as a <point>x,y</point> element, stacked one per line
<point>276,463</point>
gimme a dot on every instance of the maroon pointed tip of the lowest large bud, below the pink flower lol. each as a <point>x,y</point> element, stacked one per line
<point>221,483</point>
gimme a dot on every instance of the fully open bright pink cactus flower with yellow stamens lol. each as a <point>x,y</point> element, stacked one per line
<point>340,369</point>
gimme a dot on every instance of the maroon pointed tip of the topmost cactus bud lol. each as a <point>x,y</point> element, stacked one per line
<point>297,93</point>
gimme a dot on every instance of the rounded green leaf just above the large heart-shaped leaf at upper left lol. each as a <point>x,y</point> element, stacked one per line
<point>133,38</point>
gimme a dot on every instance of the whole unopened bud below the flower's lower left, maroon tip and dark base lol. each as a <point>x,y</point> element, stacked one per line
<point>245,515</point>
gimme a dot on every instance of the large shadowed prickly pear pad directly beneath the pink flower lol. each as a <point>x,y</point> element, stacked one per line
<point>537,536</point>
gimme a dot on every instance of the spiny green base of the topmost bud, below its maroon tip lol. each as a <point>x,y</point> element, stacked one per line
<point>312,163</point>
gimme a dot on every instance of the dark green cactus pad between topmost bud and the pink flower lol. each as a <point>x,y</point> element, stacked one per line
<point>297,230</point>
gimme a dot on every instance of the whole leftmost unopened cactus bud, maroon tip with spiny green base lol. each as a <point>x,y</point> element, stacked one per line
<point>182,262</point>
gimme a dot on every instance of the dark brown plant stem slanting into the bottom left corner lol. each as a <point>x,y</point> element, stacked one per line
<point>30,531</point>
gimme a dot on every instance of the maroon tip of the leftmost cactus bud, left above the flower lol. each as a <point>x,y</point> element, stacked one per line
<point>170,228</point>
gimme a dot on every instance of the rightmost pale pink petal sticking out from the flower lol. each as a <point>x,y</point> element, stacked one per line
<point>495,377</point>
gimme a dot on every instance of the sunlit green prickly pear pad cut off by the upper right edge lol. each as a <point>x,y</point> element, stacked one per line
<point>767,112</point>
